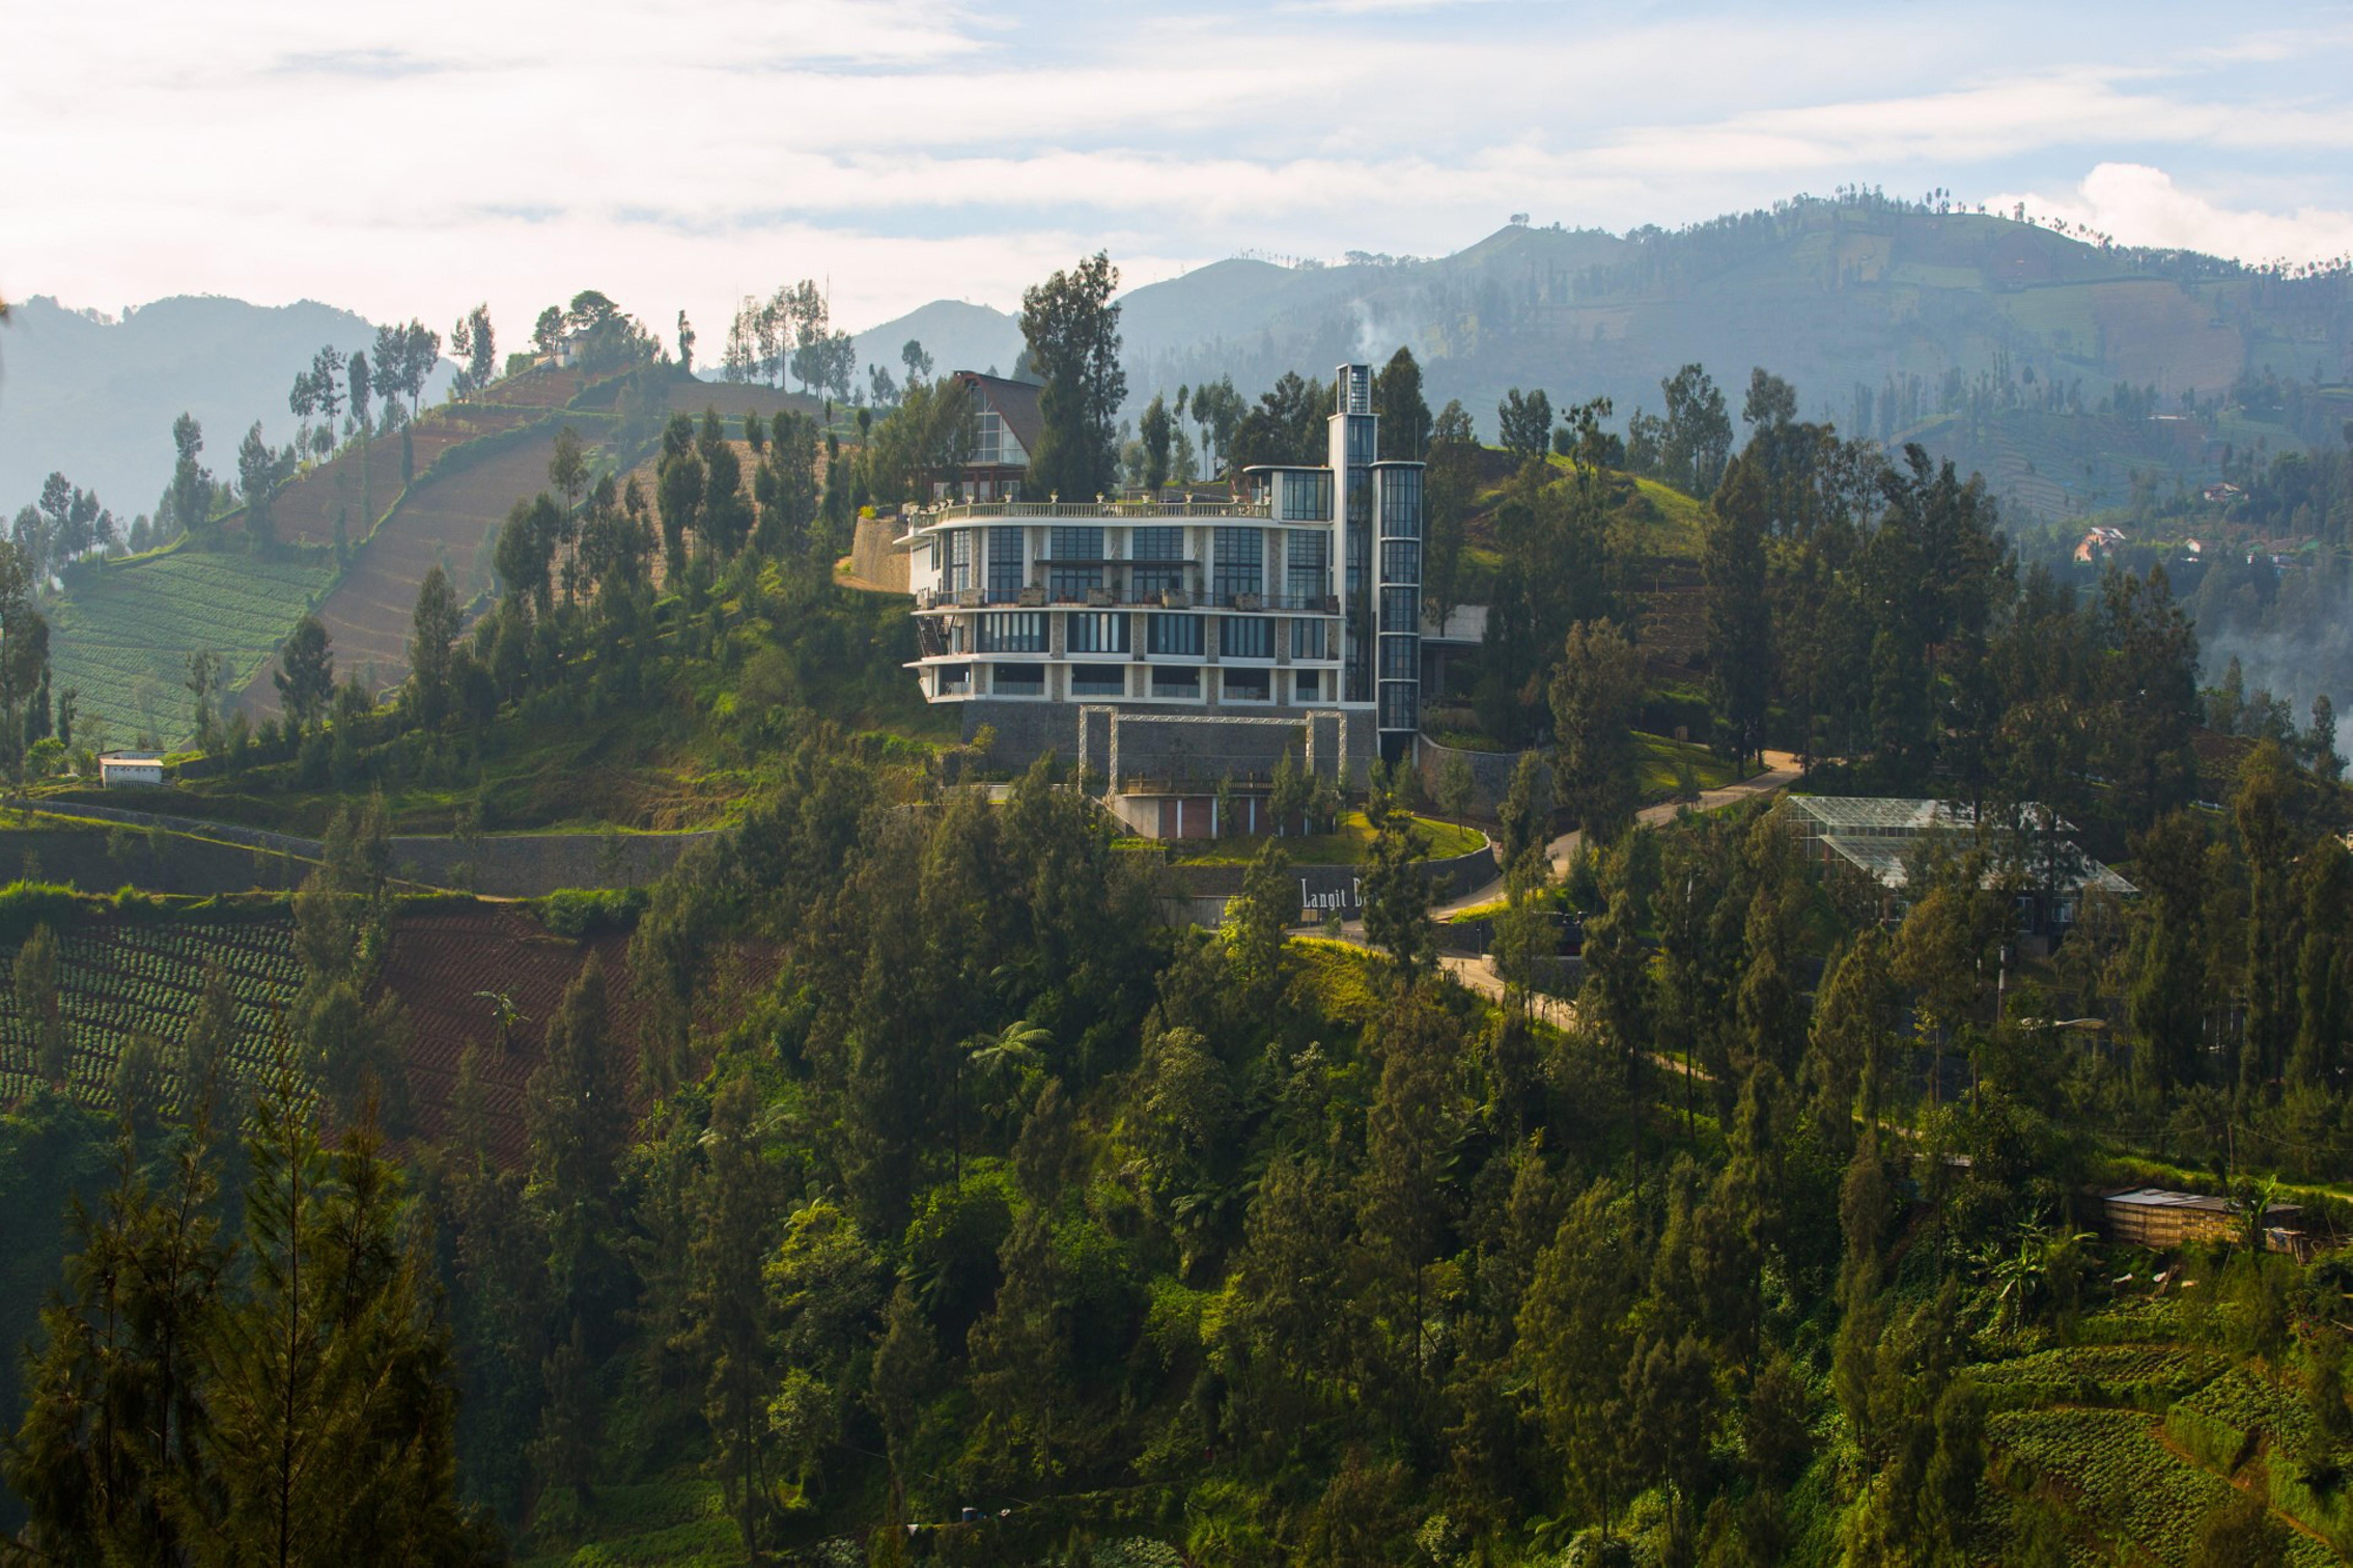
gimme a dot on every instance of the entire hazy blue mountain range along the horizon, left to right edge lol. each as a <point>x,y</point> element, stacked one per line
<point>1877,312</point>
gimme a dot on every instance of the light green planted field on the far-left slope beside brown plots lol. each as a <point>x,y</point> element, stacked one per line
<point>124,637</point>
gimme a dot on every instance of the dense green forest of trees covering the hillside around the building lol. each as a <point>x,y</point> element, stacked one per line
<point>994,1218</point>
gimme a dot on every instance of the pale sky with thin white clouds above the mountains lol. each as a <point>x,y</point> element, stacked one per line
<point>418,159</point>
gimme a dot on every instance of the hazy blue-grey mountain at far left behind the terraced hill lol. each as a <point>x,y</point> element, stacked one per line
<point>95,397</point>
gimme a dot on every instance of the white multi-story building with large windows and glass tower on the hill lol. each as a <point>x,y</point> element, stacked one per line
<point>1293,599</point>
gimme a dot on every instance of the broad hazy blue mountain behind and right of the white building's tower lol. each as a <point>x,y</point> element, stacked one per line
<point>1891,319</point>
